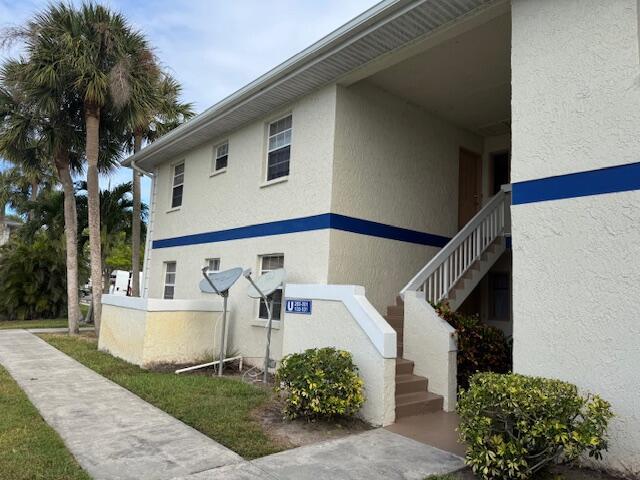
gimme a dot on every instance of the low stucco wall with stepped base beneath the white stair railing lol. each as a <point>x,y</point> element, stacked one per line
<point>431,343</point>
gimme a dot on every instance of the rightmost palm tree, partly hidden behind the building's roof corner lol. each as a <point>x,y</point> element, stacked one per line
<point>167,113</point>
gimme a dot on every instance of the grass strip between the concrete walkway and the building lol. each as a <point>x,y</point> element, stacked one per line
<point>219,408</point>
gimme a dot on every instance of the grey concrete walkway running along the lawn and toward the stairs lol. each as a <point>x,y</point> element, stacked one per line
<point>116,435</point>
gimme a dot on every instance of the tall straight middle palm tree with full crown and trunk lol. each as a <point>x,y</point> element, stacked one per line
<point>106,65</point>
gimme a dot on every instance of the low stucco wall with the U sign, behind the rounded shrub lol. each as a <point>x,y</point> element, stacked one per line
<point>331,325</point>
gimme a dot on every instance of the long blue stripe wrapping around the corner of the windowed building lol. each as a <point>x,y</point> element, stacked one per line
<point>306,224</point>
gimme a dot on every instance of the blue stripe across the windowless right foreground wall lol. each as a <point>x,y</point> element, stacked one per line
<point>621,178</point>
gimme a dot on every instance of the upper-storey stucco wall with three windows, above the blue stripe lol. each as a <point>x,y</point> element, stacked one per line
<point>237,197</point>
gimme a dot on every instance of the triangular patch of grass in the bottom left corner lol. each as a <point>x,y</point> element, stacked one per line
<point>29,448</point>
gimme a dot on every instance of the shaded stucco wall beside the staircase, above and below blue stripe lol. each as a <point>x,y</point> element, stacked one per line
<point>394,163</point>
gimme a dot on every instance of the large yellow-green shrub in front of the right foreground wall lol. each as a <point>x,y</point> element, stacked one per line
<point>515,425</point>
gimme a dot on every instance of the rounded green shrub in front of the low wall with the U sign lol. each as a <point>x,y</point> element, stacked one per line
<point>320,383</point>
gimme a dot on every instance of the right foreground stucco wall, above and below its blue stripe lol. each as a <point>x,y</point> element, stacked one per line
<point>576,283</point>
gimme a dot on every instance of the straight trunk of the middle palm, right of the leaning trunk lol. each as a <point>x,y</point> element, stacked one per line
<point>92,124</point>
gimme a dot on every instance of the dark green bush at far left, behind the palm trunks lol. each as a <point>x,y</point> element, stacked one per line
<point>33,279</point>
